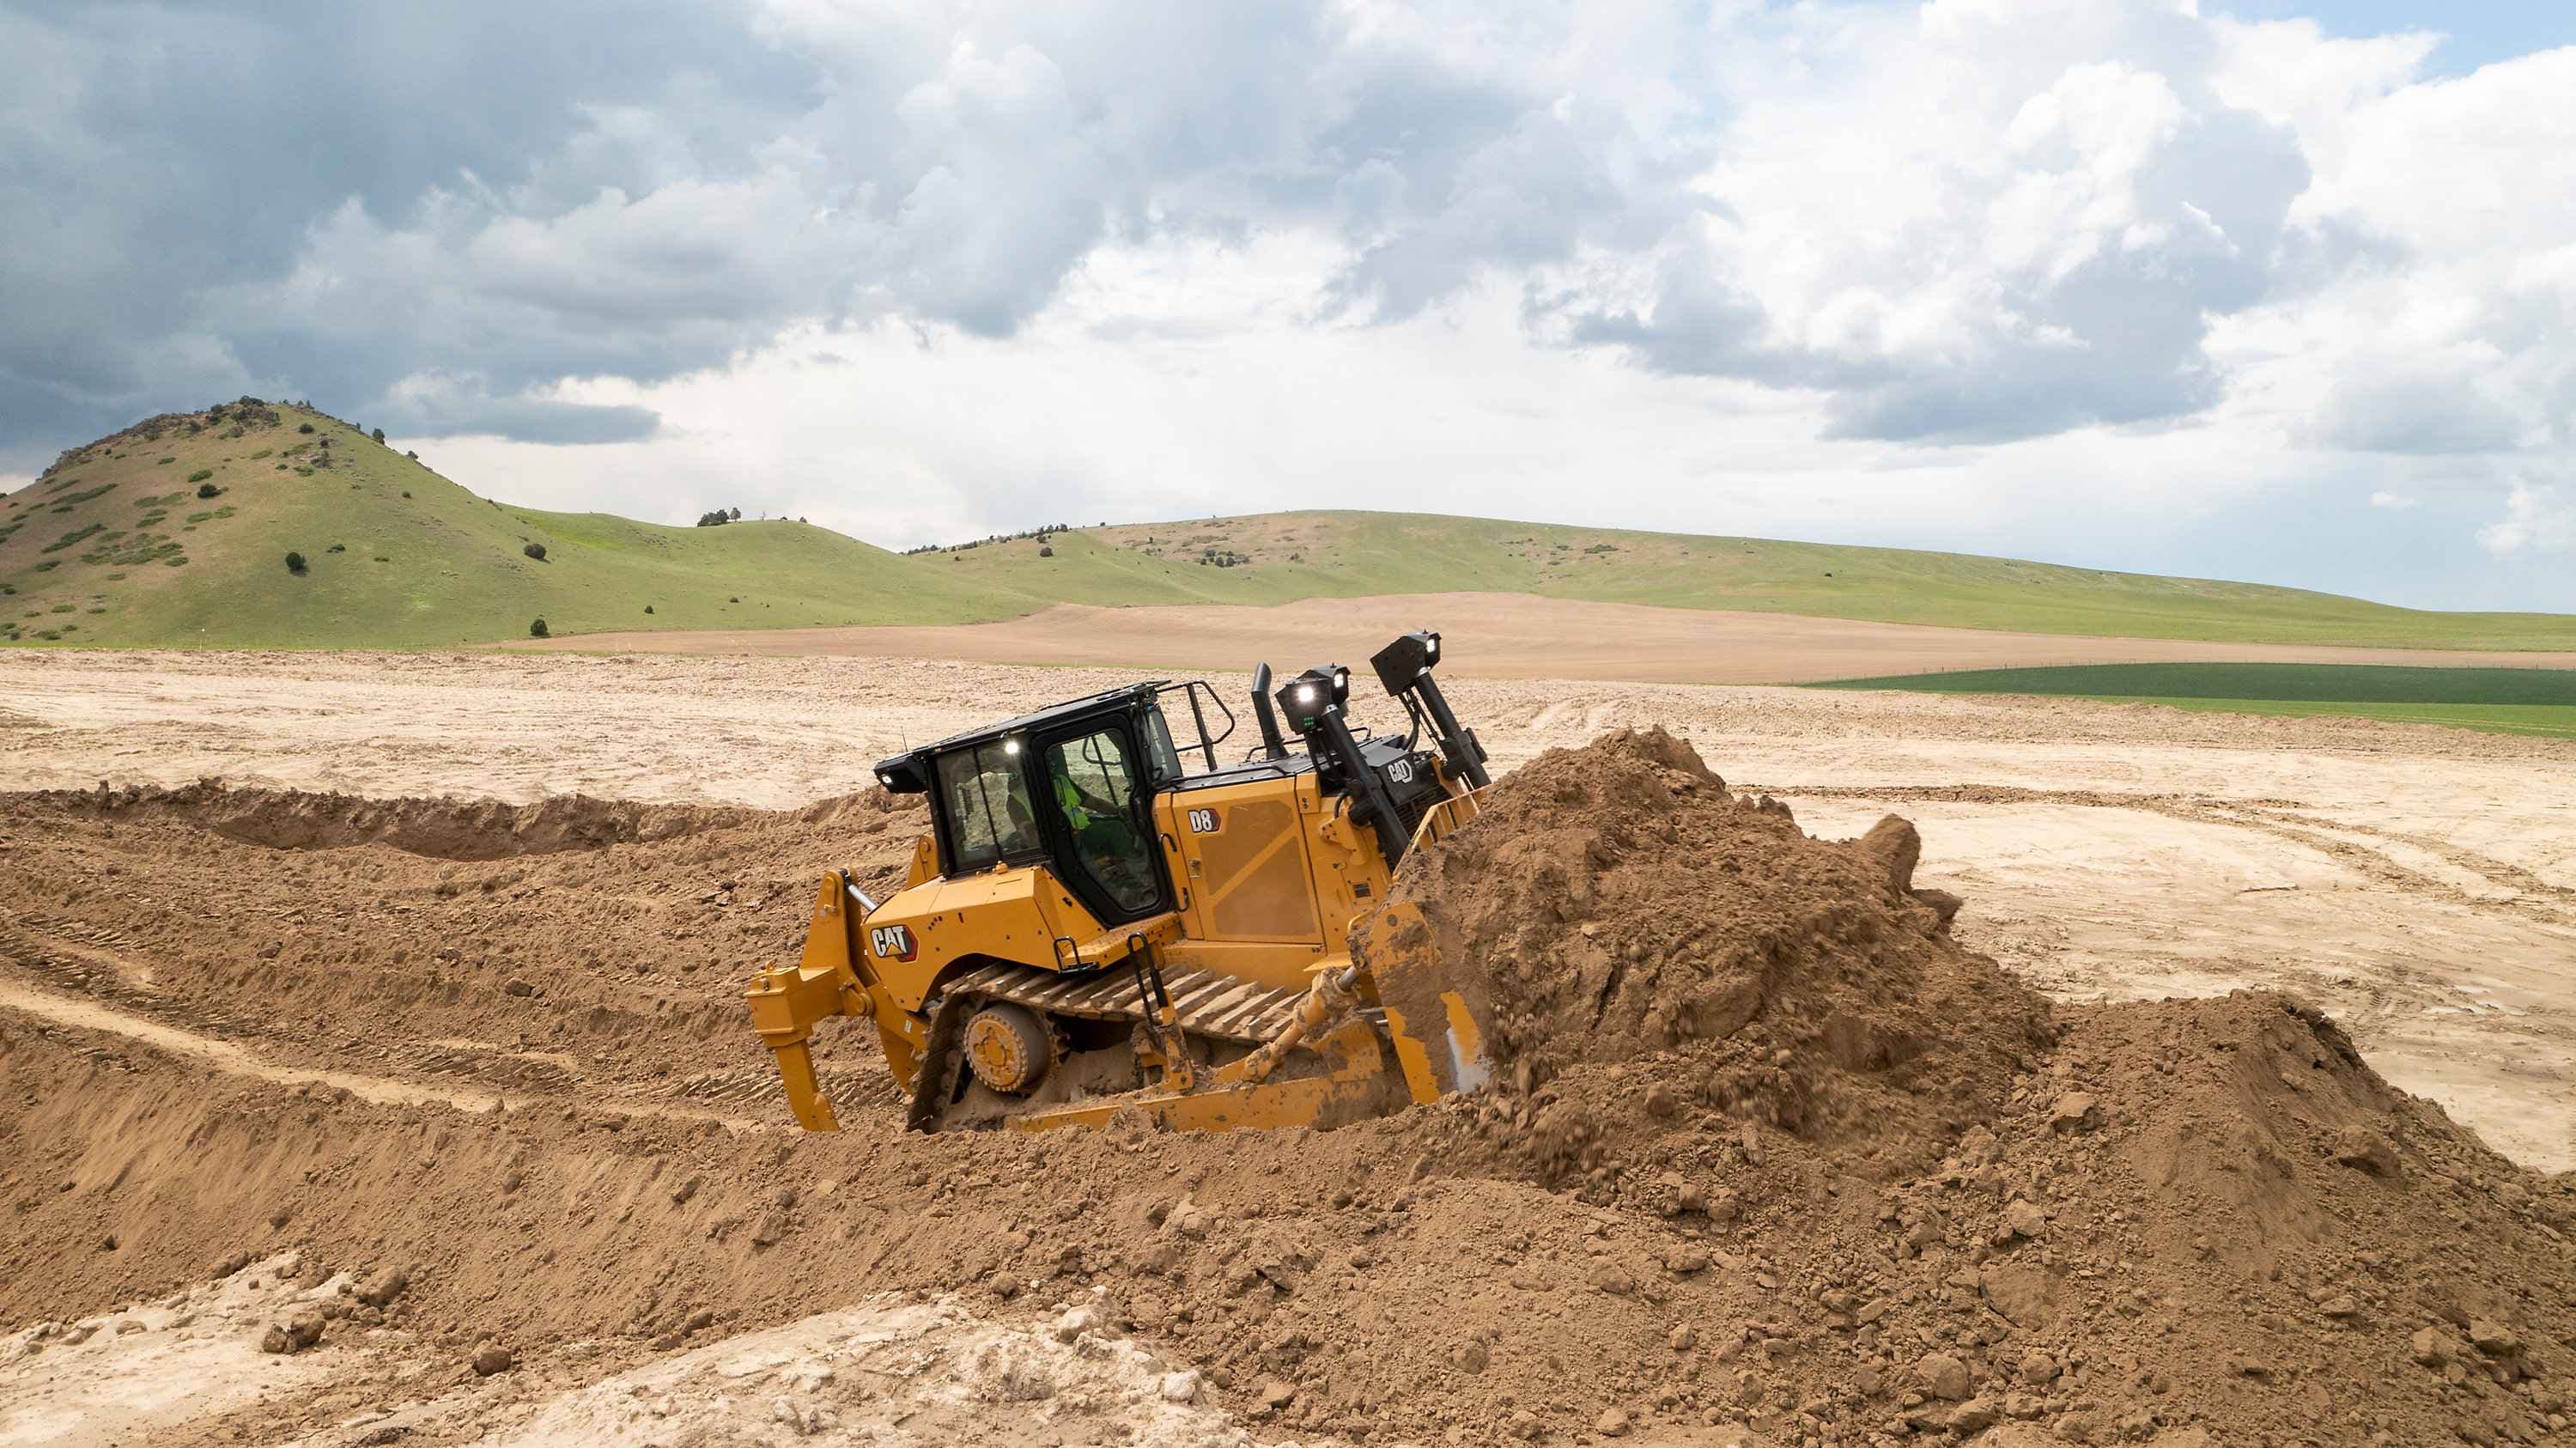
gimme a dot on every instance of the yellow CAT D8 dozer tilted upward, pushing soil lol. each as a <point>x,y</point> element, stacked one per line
<point>1094,929</point>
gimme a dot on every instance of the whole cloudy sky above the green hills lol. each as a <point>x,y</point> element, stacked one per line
<point>2278,290</point>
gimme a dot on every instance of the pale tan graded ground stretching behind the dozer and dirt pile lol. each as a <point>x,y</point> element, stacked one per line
<point>2418,882</point>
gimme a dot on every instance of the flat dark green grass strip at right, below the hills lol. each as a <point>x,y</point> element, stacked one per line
<point>2513,702</point>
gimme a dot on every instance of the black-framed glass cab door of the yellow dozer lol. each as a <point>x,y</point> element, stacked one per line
<point>1096,797</point>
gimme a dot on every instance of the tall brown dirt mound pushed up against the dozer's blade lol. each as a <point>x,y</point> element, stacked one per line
<point>1694,957</point>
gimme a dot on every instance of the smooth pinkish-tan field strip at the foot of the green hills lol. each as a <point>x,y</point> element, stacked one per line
<point>1503,635</point>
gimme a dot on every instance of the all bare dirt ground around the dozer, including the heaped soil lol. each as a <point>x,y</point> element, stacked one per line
<point>1802,1156</point>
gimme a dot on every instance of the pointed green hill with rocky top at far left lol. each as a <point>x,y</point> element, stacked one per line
<point>117,548</point>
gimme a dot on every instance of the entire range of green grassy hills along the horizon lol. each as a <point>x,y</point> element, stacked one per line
<point>117,548</point>
